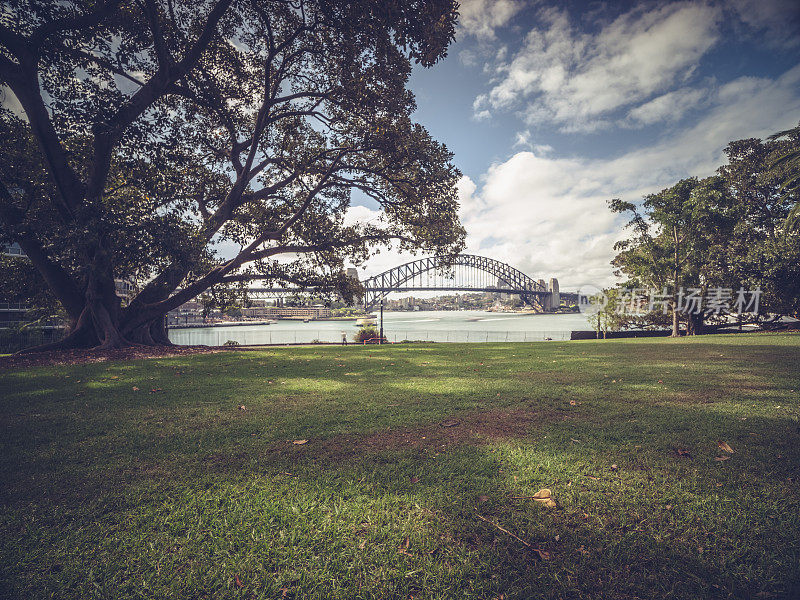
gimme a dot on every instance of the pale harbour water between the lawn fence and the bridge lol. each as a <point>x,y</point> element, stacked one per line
<point>432,326</point>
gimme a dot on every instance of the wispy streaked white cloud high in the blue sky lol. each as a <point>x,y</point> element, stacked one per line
<point>576,79</point>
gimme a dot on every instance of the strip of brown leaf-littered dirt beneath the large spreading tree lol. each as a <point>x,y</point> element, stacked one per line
<point>80,356</point>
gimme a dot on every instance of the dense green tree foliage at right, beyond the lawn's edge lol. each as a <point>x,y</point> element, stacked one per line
<point>728,231</point>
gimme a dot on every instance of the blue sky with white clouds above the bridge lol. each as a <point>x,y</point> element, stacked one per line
<point>554,107</point>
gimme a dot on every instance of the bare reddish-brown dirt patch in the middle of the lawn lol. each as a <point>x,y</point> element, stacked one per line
<point>470,429</point>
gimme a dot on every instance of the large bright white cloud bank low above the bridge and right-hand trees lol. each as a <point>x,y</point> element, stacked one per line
<point>548,215</point>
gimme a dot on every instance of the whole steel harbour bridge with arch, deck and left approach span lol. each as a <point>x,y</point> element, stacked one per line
<point>462,273</point>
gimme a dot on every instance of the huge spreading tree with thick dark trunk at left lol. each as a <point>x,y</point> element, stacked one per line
<point>153,131</point>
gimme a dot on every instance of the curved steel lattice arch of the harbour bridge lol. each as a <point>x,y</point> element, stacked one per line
<point>379,286</point>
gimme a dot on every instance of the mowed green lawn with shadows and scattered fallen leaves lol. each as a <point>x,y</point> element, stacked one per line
<point>172,491</point>
